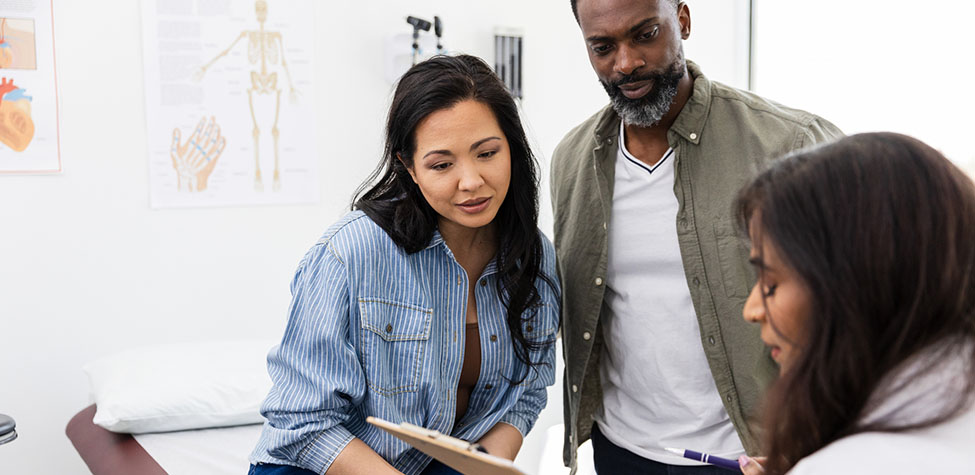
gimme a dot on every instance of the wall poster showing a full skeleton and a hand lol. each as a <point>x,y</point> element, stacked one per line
<point>230,102</point>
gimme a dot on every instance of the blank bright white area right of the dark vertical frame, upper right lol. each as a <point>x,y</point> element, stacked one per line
<point>870,65</point>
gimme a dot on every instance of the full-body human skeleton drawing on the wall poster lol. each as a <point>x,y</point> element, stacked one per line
<point>264,48</point>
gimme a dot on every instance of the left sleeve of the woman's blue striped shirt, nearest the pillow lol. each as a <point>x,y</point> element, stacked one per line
<point>317,378</point>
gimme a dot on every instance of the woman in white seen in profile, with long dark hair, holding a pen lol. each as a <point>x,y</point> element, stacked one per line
<point>865,253</point>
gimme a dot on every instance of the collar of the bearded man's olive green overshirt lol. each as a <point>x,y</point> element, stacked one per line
<point>689,123</point>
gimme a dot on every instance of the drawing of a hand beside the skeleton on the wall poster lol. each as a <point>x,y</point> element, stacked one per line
<point>195,159</point>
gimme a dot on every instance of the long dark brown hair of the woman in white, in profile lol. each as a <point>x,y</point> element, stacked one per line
<point>881,229</point>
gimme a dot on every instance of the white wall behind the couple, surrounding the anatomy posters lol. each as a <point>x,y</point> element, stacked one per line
<point>86,268</point>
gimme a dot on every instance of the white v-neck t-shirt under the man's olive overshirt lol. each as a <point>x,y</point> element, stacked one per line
<point>657,386</point>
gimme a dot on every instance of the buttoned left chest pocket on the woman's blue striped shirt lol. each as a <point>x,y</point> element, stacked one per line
<point>393,341</point>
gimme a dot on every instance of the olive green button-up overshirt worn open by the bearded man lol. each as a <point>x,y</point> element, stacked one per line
<point>721,139</point>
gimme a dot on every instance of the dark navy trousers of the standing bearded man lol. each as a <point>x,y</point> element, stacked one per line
<point>612,459</point>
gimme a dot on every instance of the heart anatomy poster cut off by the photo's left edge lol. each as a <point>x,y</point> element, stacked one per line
<point>28,88</point>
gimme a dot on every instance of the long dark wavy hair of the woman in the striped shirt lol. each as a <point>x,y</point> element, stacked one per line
<point>391,198</point>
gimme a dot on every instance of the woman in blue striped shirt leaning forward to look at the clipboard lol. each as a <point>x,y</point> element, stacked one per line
<point>434,302</point>
